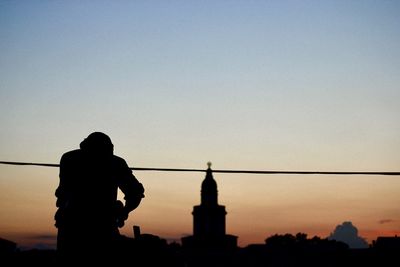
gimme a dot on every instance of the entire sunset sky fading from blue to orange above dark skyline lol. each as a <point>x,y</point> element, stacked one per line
<point>267,85</point>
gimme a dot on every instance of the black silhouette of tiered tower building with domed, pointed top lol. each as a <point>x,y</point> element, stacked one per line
<point>209,220</point>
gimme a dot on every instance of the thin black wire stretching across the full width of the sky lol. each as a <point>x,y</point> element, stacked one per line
<point>226,171</point>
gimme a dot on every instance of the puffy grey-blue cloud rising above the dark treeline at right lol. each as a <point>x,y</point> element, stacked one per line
<point>348,233</point>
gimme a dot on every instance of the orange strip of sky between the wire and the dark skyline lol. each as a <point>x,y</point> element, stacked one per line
<point>257,207</point>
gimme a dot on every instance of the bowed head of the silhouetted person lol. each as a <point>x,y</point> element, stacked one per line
<point>98,143</point>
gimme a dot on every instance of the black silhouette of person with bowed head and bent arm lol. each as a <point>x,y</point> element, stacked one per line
<point>89,214</point>
